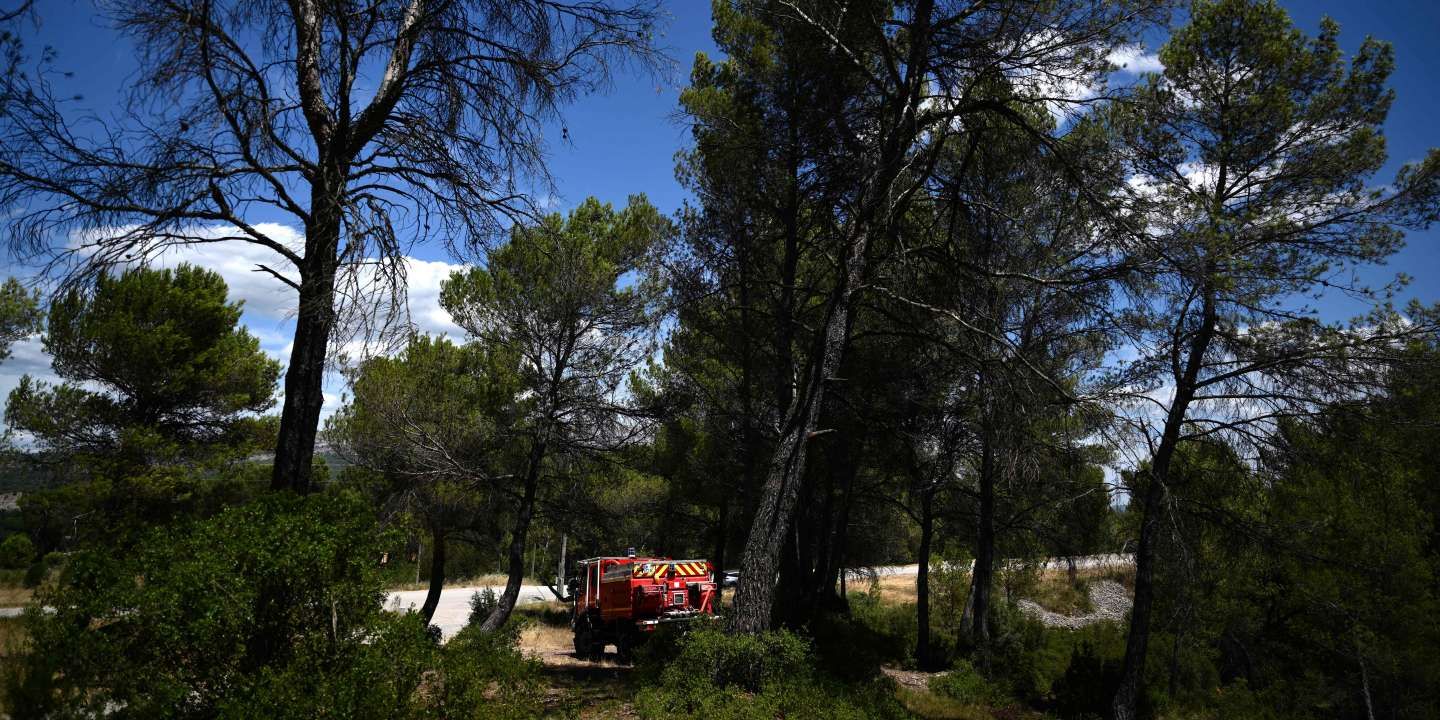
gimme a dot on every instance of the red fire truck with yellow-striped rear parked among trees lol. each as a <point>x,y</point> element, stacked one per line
<point>620,600</point>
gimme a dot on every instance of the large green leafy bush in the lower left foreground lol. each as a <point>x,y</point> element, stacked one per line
<point>271,610</point>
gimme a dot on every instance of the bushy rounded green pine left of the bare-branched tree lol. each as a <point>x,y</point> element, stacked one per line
<point>156,368</point>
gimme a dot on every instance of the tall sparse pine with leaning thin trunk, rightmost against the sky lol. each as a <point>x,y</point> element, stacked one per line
<point>1252,155</point>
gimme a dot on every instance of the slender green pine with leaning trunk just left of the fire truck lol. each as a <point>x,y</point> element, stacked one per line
<point>574,300</point>
